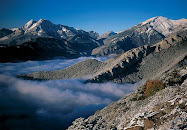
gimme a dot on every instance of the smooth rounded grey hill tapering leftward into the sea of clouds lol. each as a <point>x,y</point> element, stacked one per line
<point>80,70</point>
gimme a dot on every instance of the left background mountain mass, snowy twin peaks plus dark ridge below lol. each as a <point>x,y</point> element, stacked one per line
<point>40,37</point>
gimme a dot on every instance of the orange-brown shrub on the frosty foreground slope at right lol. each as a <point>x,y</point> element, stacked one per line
<point>153,86</point>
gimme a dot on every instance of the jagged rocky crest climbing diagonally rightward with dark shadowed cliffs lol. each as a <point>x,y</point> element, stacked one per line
<point>132,57</point>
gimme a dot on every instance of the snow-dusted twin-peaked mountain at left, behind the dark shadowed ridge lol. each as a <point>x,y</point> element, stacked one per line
<point>41,28</point>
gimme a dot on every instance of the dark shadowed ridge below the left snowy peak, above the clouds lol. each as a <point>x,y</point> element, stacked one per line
<point>38,49</point>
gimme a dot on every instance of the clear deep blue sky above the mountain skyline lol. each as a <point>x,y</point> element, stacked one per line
<point>98,15</point>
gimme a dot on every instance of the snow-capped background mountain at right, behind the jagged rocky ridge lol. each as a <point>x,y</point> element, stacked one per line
<point>148,32</point>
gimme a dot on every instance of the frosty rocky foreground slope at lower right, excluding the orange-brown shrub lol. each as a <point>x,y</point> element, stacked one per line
<point>167,109</point>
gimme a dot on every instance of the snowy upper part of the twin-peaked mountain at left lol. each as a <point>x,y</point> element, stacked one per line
<point>45,28</point>
